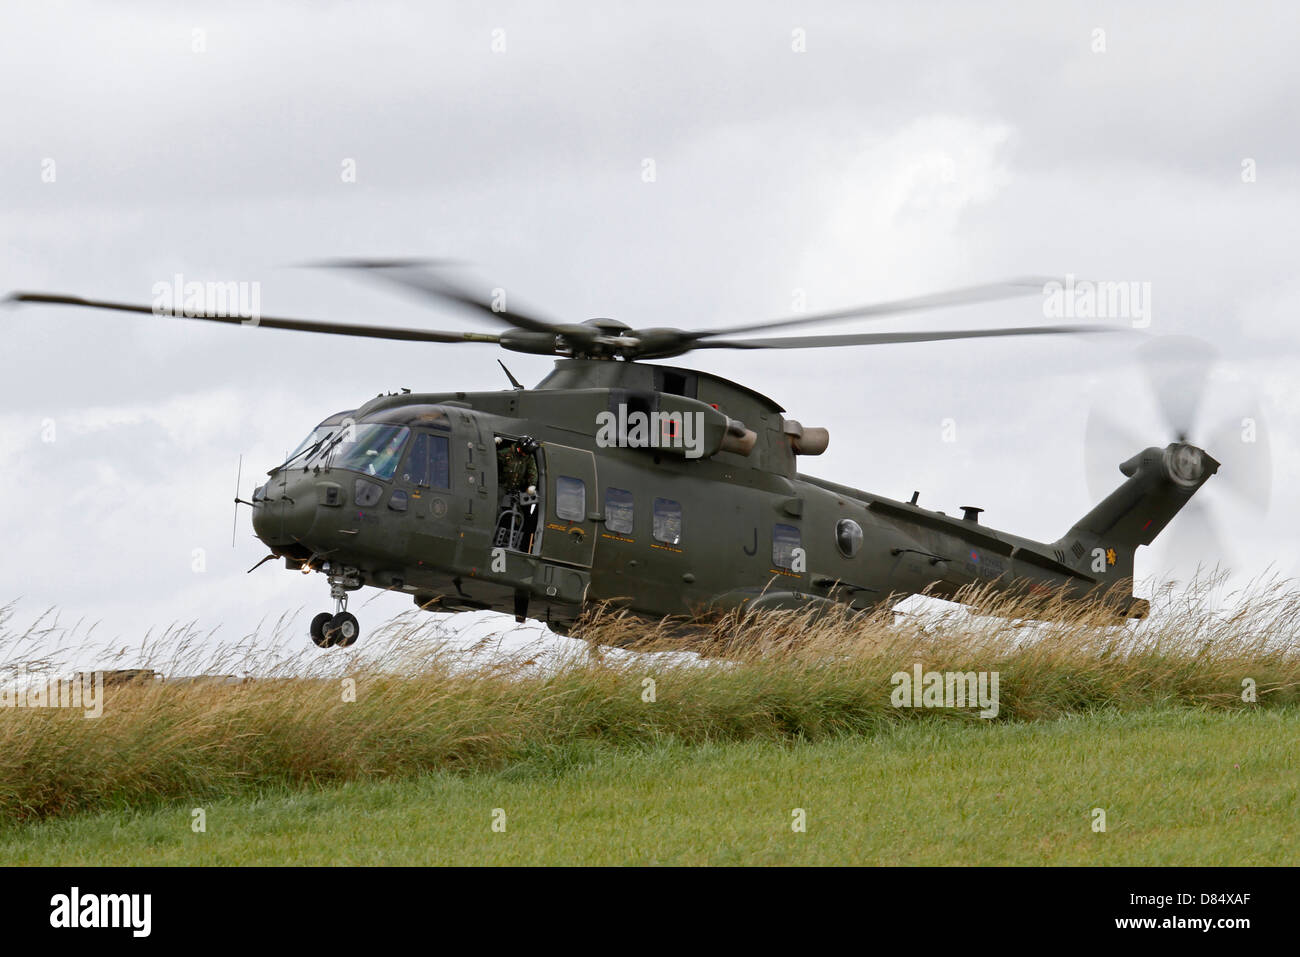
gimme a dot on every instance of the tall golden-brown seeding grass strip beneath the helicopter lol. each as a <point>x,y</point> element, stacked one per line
<point>772,677</point>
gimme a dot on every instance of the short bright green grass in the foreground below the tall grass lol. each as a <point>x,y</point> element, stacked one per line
<point>1178,786</point>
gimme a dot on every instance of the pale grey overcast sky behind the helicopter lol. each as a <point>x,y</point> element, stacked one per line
<point>835,153</point>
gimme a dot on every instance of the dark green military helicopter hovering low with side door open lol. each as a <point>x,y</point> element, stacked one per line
<point>665,490</point>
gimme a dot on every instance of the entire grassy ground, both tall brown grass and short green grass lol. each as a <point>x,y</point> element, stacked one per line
<point>1182,730</point>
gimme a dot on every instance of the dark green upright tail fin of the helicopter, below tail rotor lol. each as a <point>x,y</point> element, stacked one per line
<point>1162,482</point>
